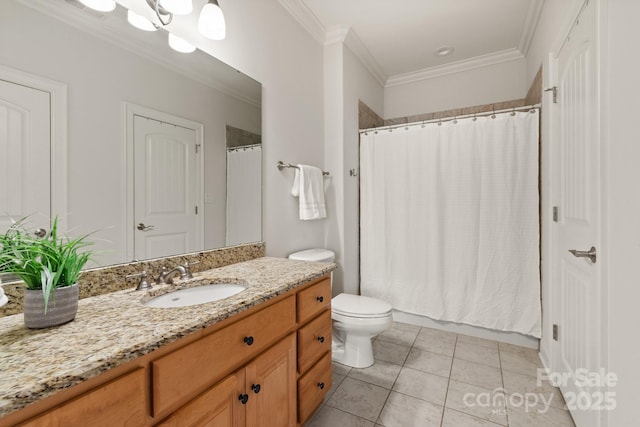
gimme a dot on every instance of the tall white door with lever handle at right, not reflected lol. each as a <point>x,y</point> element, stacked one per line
<point>576,289</point>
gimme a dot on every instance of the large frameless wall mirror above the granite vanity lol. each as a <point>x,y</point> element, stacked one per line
<point>154,137</point>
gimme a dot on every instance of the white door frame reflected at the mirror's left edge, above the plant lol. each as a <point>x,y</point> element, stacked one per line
<point>58,117</point>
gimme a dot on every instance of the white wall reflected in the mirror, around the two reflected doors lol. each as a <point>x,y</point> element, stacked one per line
<point>100,77</point>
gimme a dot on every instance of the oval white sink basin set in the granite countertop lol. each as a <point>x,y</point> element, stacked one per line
<point>194,296</point>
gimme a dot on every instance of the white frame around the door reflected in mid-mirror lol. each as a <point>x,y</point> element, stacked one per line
<point>130,111</point>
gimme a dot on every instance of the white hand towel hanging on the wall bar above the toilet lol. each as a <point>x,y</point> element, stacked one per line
<point>308,185</point>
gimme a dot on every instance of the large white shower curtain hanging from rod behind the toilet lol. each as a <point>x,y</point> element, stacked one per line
<point>449,220</point>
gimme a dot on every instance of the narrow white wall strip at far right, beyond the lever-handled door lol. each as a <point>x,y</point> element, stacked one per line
<point>621,253</point>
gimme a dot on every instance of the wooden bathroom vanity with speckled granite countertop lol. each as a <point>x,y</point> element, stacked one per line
<point>260,357</point>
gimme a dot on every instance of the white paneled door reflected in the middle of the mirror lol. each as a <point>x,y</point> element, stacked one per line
<point>166,189</point>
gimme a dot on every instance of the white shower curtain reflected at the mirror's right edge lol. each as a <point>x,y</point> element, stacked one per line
<point>244,195</point>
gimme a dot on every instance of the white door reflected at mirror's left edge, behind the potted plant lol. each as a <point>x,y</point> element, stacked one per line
<point>25,165</point>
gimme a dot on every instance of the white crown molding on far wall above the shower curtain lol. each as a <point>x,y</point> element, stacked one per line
<point>455,67</point>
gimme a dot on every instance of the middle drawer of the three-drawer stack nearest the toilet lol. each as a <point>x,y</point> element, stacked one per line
<point>314,339</point>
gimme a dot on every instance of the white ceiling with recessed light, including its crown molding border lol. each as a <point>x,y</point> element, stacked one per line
<point>398,39</point>
